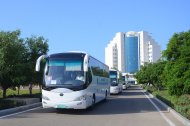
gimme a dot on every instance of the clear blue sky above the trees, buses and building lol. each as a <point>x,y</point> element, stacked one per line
<point>89,25</point>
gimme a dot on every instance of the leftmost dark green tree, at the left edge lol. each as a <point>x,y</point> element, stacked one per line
<point>11,57</point>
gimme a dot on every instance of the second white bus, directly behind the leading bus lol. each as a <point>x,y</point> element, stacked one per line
<point>115,87</point>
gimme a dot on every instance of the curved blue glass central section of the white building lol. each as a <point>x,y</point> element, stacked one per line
<point>131,54</point>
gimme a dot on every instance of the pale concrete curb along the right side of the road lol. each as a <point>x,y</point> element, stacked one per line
<point>182,119</point>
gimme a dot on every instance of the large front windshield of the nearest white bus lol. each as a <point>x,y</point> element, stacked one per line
<point>64,72</point>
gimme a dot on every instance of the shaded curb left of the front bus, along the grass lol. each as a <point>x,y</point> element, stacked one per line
<point>19,109</point>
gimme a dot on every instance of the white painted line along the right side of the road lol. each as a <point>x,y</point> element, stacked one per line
<point>158,109</point>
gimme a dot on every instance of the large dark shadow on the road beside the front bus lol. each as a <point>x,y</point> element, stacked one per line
<point>116,106</point>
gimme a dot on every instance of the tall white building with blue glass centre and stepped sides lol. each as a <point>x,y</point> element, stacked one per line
<point>128,51</point>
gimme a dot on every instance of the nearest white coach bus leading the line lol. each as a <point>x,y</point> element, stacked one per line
<point>73,80</point>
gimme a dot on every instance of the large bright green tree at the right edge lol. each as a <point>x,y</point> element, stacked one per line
<point>177,70</point>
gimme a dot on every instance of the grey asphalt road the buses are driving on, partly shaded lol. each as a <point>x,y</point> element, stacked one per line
<point>130,108</point>
